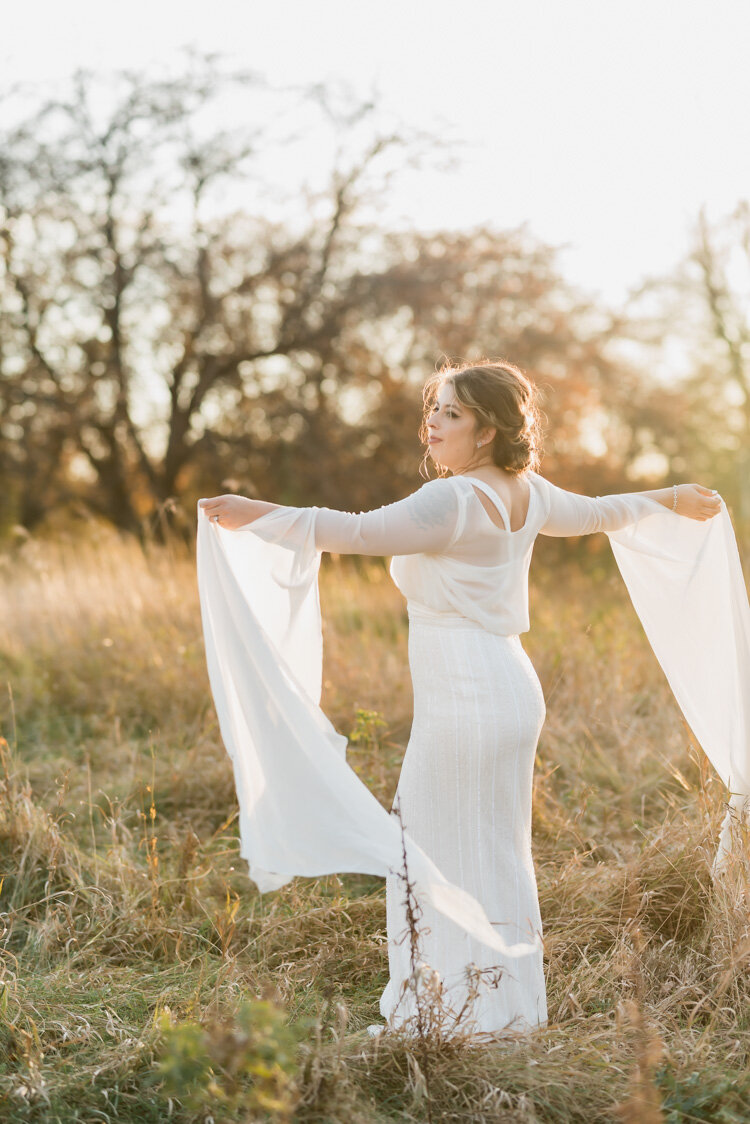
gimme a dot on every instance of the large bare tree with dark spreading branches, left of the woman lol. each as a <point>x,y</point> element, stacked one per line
<point>134,310</point>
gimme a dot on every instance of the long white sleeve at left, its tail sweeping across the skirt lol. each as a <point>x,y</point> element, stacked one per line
<point>303,810</point>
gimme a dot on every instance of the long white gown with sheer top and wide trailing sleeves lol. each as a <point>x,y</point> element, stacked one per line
<point>466,784</point>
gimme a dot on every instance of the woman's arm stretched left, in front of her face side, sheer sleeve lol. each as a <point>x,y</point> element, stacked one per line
<point>423,523</point>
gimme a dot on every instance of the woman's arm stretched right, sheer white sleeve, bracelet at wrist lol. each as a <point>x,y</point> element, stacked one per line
<point>572,514</point>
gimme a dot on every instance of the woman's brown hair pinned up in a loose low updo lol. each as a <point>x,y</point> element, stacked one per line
<point>501,396</point>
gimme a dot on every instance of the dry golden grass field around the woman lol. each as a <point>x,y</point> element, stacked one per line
<point>143,978</point>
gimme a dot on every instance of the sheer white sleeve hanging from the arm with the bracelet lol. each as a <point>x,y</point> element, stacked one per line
<point>686,584</point>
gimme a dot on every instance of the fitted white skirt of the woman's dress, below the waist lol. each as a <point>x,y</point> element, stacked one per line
<point>465,795</point>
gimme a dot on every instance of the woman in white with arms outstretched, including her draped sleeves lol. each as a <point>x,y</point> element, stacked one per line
<point>462,547</point>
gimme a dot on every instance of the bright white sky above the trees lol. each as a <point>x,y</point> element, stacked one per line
<point>604,125</point>
